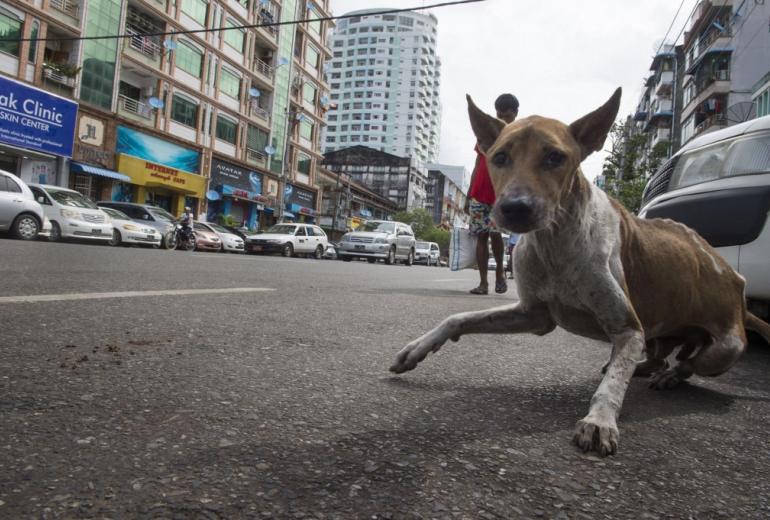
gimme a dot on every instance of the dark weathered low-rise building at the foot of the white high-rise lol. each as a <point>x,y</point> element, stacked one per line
<point>401,180</point>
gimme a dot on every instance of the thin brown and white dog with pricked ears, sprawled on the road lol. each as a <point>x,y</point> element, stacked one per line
<point>586,264</point>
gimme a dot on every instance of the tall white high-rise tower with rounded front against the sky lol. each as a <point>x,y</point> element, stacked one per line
<point>385,80</point>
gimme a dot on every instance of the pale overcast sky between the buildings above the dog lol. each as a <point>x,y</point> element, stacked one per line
<point>560,58</point>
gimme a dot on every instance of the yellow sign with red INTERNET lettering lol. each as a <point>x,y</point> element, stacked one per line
<point>146,173</point>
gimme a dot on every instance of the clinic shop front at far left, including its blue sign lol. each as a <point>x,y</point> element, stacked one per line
<point>36,132</point>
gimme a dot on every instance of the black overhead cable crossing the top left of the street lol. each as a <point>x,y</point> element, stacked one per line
<point>238,27</point>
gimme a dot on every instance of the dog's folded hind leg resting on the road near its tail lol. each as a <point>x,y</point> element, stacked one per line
<point>714,357</point>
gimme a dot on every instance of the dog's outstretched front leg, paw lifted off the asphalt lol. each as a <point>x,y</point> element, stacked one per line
<point>499,320</point>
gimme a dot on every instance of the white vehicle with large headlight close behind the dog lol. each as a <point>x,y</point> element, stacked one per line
<point>719,185</point>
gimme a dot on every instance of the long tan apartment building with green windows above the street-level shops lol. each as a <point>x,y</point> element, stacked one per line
<point>227,121</point>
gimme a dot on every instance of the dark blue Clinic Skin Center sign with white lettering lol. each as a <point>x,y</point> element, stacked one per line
<point>36,120</point>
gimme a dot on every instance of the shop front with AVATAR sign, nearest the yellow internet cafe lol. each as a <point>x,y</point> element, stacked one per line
<point>235,194</point>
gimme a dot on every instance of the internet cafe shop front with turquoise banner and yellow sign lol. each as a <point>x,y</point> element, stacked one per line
<point>160,173</point>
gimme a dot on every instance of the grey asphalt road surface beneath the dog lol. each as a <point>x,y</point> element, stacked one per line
<point>279,403</point>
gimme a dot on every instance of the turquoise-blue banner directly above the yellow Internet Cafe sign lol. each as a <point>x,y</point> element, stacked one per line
<point>153,149</point>
